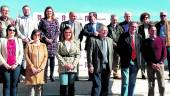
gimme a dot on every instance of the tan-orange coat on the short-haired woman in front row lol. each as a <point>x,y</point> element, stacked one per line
<point>36,57</point>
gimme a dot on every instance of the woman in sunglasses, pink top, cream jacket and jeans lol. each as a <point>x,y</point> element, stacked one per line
<point>11,54</point>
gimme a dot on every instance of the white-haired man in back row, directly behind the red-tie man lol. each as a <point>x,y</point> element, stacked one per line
<point>125,24</point>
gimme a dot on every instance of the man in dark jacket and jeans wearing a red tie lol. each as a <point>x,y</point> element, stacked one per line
<point>129,45</point>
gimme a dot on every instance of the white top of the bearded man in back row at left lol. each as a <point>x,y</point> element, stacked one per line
<point>25,26</point>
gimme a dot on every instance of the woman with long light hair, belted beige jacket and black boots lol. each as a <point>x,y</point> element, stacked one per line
<point>68,54</point>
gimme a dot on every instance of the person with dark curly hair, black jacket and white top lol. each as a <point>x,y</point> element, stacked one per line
<point>143,31</point>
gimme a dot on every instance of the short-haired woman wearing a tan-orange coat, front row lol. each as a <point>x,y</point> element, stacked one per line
<point>36,58</point>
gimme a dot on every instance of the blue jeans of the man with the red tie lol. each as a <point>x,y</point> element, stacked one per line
<point>129,79</point>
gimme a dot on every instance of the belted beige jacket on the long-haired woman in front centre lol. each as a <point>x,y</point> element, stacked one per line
<point>68,57</point>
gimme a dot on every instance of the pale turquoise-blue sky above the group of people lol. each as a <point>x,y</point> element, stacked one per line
<point>118,7</point>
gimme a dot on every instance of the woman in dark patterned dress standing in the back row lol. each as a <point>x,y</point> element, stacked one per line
<point>50,29</point>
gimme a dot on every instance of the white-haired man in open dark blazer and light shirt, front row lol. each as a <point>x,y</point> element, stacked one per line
<point>100,59</point>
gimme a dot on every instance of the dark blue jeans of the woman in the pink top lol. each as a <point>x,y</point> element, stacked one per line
<point>11,78</point>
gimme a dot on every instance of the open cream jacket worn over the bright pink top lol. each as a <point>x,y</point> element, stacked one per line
<point>3,50</point>
